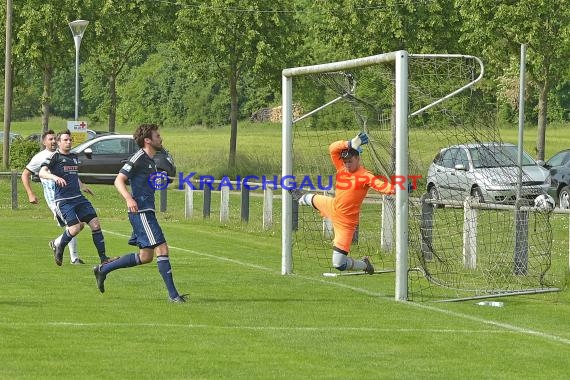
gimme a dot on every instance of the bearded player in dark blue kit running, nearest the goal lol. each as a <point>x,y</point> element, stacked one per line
<point>142,174</point>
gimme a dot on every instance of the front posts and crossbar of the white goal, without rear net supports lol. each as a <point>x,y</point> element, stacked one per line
<point>400,60</point>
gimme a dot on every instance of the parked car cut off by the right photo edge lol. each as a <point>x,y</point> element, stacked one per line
<point>559,167</point>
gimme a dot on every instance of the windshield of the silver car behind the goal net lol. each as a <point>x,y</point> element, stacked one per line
<point>493,156</point>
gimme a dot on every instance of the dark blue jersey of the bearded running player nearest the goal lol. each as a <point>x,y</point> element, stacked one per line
<point>139,169</point>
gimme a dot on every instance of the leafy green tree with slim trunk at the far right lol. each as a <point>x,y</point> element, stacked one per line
<point>497,29</point>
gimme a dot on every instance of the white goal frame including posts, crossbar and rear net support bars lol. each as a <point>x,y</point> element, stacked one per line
<point>401,114</point>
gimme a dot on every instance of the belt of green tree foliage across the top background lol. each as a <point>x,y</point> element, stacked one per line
<point>130,63</point>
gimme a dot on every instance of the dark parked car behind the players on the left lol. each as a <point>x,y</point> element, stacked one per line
<point>108,153</point>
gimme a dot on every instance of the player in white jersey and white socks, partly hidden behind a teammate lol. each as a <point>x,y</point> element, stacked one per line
<point>33,168</point>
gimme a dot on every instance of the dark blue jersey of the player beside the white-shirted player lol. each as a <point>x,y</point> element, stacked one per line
<point>65,166</point>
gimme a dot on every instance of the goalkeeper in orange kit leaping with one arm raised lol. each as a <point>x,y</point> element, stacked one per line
<point>351,187</point>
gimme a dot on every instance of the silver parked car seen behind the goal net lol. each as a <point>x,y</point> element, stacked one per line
<point>487,171</point>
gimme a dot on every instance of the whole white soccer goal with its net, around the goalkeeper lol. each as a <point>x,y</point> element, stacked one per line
<point>411,106</point>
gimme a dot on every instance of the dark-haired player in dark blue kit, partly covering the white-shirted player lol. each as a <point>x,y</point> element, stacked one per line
<point>71,206</point>
